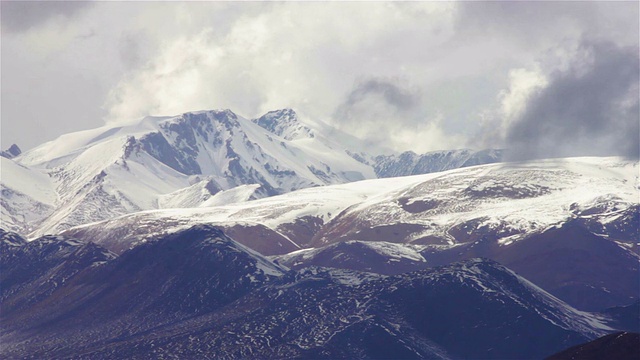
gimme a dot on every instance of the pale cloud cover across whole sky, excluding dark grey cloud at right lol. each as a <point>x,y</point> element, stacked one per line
<point>461,60</point>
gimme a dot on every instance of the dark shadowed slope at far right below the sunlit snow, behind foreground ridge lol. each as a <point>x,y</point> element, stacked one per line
<point>588,271</point>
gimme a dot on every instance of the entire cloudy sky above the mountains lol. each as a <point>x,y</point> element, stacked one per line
<point>542,79</point>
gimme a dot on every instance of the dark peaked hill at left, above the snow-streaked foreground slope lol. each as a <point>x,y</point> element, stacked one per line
<point>173,275</point>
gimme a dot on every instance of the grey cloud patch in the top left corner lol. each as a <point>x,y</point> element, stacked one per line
<point>21,16</point>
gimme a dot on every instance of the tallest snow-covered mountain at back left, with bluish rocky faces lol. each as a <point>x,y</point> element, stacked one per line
<point>184,161</point>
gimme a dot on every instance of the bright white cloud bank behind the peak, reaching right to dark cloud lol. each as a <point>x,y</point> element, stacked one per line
<point>416,76</point>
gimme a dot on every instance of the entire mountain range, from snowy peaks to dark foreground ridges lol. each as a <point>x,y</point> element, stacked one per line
<point>209,235</point>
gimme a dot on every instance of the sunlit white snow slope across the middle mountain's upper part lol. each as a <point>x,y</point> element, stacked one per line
<point>448,208</point>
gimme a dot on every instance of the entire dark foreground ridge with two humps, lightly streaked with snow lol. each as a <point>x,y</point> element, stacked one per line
<point>197,293</point>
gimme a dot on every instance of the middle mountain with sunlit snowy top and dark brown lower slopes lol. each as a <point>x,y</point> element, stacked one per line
<point>510,212</point>
